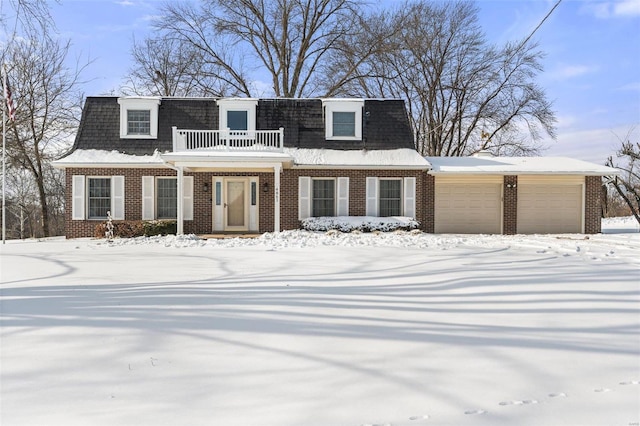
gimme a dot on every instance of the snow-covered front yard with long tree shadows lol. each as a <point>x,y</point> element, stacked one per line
<point>323,329</point>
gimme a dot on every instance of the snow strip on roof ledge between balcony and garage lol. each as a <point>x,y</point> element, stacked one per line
<point>404,158</point>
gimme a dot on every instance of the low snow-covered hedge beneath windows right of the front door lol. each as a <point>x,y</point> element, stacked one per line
<point>359,223</point>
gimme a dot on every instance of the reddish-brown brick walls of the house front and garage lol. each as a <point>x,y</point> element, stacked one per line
<point>203,199</point>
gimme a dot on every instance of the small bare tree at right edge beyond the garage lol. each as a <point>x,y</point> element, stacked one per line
<point>628,184</point>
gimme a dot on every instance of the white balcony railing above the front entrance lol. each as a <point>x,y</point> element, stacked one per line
<point>228,140</point>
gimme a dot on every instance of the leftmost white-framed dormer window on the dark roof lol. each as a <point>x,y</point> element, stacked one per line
<point>139,117</point>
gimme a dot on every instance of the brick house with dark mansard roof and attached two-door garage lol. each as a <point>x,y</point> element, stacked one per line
<point>262,165</point>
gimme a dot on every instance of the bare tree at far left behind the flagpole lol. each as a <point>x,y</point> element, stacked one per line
<point>48,104</point>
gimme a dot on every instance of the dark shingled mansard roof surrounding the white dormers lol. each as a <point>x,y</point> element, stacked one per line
<point>385,124</point>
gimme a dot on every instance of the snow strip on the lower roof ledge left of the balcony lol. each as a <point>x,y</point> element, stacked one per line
<point>97,157</point>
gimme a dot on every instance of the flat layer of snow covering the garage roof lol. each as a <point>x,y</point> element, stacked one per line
<point>516,165</point>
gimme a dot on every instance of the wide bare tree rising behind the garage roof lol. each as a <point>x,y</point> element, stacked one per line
<point>463,94</point>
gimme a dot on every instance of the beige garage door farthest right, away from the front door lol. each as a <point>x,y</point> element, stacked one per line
<point>550,206</point>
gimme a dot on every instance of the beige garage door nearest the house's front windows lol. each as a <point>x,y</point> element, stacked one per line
<point>470,206</point>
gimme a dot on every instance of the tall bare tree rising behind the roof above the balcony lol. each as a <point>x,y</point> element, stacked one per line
<point>287,39</point>
